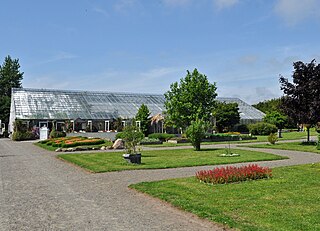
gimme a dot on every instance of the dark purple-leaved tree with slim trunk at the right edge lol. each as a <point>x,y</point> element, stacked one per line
<point>301,100</point>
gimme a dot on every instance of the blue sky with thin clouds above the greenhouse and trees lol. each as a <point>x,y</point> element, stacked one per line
<point>145,45</point>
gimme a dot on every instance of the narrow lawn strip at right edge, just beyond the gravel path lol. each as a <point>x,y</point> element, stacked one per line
<point>296,146</point>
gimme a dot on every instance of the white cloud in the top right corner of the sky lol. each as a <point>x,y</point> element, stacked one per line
<point>294,11</point>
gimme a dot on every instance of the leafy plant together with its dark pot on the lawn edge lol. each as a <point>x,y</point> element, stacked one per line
<point>132,136</point>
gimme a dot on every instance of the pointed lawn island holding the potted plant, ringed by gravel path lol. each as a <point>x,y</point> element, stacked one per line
<point>113,161</point>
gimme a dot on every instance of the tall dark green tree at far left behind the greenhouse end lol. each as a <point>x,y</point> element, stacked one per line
<point>10,77</point>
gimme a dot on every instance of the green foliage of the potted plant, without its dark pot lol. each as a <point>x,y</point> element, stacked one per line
<point>132,136</point>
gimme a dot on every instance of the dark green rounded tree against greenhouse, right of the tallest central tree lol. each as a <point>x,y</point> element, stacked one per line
<point>227,115</point>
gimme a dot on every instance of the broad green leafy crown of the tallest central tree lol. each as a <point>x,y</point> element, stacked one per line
<point>191,99</point>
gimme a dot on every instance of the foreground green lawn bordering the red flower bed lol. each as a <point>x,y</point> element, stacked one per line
<point>288,201</point>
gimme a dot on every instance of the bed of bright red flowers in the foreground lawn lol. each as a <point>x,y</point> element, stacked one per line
<point>231,174</point>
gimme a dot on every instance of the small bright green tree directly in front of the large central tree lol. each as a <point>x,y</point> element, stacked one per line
<point>196,132</point>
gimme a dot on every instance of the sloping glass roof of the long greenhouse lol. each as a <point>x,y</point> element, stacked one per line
<point>90,105</point>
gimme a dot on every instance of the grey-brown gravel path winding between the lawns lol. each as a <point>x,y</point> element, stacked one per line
<point>40,192</point>
